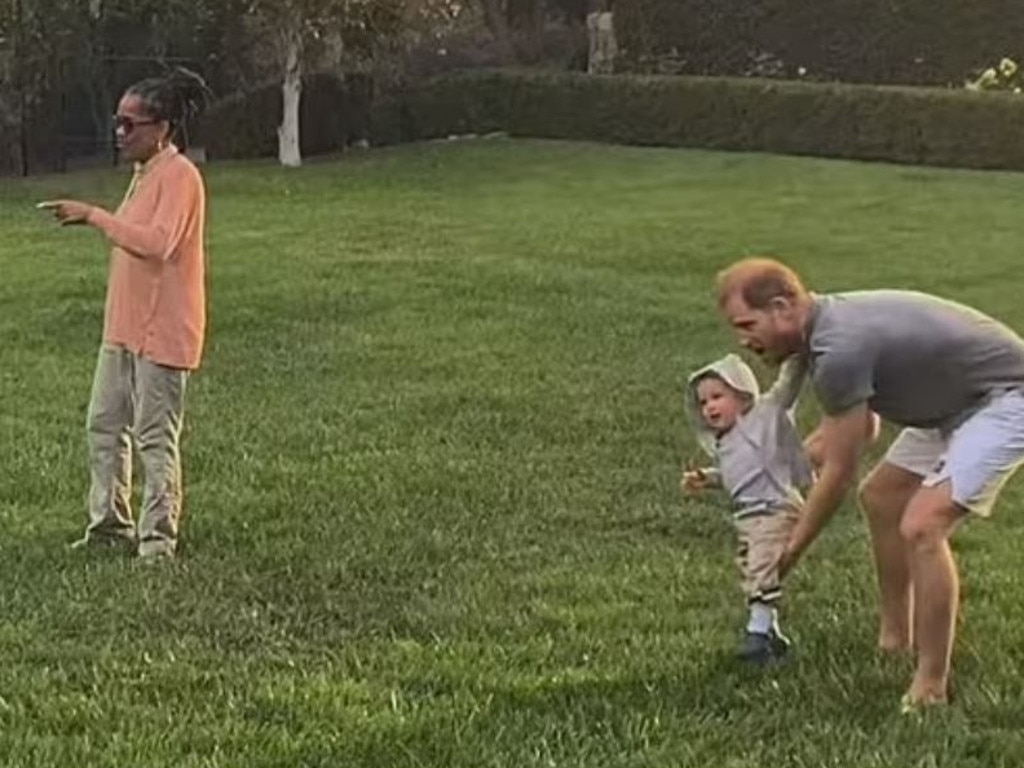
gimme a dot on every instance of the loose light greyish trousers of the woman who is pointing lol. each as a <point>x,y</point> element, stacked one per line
<point>139,406</point>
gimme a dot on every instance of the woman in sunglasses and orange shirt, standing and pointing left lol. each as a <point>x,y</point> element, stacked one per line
<point>154,322</point>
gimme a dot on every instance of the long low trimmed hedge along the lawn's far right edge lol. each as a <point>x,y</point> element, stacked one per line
<point>925,126</point>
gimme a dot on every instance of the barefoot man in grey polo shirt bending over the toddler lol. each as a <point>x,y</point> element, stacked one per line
<point>952,377</point>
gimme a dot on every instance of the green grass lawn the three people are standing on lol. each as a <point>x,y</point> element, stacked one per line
<point>433,516</point>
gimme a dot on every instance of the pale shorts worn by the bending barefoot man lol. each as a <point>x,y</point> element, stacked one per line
<point>976,459</point>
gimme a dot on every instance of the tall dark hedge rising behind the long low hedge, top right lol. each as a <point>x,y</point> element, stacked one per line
<point>915,42</point>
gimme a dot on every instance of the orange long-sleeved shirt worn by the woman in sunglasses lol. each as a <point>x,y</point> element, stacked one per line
<point>156,295</point>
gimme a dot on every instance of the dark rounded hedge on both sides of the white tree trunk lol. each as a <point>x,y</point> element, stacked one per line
<point>334,113</point>
